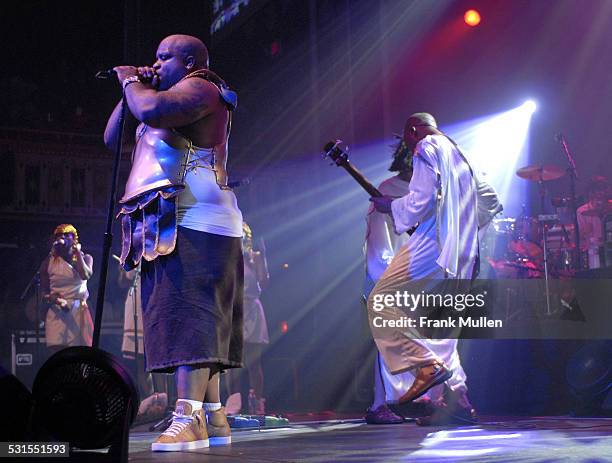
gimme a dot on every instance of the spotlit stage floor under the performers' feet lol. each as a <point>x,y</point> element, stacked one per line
<point>537,439</point>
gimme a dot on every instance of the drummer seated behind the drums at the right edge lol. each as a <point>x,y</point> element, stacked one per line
<point>591,213</point>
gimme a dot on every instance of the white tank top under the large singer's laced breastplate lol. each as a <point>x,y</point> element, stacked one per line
<point>203,205</point>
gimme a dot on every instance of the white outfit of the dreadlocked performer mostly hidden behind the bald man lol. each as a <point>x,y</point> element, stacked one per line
<point>382,244</point>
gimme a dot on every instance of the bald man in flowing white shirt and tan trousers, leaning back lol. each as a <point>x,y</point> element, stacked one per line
<point>448,205</point>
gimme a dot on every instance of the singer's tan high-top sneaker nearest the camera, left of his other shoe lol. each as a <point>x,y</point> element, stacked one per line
<point>187,431</point>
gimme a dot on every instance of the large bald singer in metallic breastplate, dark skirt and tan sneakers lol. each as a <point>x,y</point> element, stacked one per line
<point>181,220</point>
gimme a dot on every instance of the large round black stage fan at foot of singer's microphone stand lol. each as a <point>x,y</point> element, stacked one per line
<point>85,397</point>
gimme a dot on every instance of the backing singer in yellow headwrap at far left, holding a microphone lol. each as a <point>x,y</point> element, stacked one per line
<point>63,279</point>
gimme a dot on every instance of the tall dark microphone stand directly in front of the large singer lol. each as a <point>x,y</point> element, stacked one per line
<point>108,236</point>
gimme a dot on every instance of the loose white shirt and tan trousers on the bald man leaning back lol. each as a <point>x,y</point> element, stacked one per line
<point>448,203</point>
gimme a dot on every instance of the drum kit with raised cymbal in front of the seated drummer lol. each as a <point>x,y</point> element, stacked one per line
<point>538,246</point>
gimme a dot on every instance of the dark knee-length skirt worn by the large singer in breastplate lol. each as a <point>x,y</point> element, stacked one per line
<point>192,303</point>
